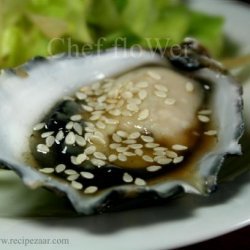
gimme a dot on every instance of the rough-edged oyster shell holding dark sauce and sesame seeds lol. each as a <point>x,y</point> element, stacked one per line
<point>27,94</point>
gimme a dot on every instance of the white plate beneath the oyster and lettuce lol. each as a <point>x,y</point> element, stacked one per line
<point>23,213</point>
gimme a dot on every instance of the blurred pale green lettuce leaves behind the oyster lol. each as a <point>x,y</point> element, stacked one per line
<point>41,27</point>
